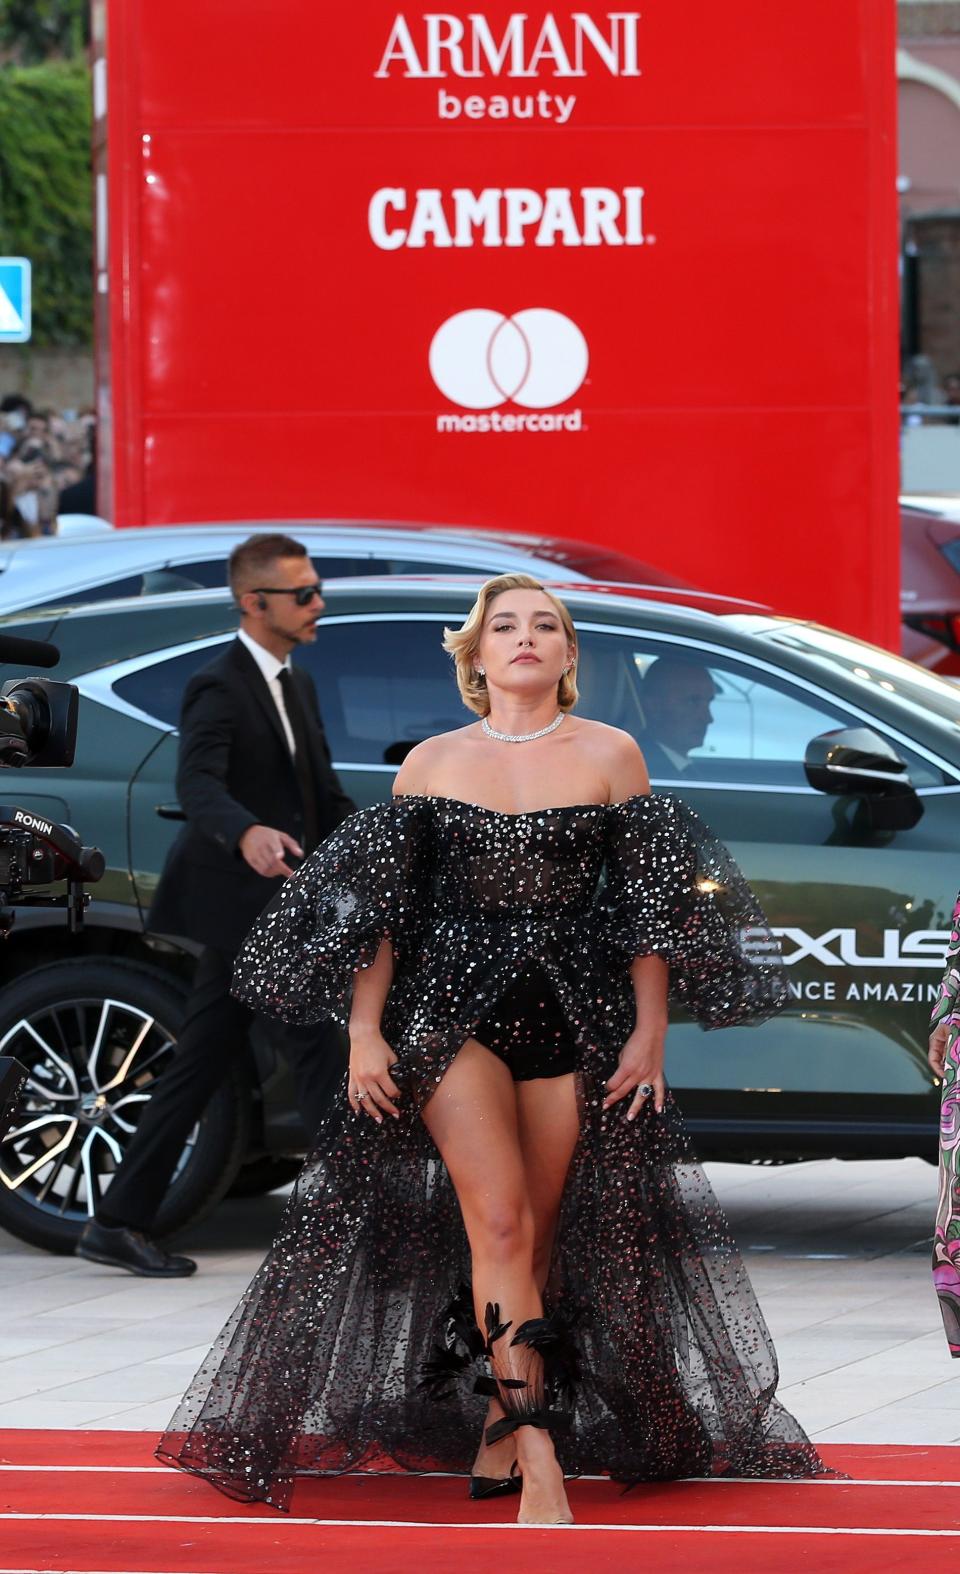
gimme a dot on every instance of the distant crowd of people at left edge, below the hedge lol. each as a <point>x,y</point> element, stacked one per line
<point>48,467</point>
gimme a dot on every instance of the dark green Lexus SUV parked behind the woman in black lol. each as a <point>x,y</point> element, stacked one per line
<point>830,767</point>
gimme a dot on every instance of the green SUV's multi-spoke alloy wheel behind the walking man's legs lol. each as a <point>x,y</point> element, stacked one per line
<point>95,1036</point>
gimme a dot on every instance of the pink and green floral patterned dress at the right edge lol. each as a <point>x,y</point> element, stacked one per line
<point>947,1238</point>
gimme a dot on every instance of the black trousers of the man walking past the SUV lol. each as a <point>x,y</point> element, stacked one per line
<point>212,1038</point>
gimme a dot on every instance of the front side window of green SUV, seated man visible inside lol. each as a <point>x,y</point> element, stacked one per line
<point>711,719</point>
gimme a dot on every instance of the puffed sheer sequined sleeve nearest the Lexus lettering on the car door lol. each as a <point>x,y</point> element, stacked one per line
<point>674,892</point>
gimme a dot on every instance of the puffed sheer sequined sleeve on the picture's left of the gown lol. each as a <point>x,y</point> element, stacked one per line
<point>366,882</point>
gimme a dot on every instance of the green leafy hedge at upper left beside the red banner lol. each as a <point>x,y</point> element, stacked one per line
<point>46,193</point>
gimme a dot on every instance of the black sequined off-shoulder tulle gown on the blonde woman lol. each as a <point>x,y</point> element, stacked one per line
<point>322,1365</point>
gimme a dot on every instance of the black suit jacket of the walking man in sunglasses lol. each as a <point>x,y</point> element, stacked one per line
<point>235,770</point>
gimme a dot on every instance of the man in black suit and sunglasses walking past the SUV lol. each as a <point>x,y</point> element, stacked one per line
<point>257,786</point>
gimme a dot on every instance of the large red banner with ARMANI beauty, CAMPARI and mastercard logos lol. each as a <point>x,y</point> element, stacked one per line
<point>602,273</point>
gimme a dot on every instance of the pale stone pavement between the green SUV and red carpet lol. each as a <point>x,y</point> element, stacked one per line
<point>840,1255</point>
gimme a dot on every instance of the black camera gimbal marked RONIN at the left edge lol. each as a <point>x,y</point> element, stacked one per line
<point>37,852</point>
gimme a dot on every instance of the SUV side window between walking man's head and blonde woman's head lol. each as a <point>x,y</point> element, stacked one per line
<point>383,687</point>
